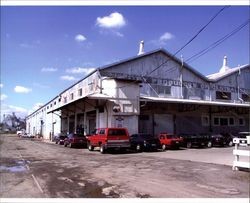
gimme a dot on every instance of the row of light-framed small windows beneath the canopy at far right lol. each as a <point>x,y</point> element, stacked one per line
<point>223,121</point>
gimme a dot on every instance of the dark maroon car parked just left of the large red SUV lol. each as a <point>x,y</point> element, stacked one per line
<point>73,140</point>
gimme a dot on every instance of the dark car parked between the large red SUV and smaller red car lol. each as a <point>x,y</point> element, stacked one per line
<point>142,142</point>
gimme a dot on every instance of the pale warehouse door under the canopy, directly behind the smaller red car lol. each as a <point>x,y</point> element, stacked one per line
<point>163,123</point>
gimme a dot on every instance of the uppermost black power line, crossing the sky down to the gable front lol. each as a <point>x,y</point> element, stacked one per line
<point>196,35</point>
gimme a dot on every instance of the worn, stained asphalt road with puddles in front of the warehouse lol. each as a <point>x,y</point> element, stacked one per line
<point>32,168</point>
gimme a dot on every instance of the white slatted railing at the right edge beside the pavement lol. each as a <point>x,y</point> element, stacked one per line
<point>245,142</point>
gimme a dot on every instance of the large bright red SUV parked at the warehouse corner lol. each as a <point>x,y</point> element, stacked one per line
<point>108,138</point>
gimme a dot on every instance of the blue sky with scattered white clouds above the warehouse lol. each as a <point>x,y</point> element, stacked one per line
<point>45,49</point>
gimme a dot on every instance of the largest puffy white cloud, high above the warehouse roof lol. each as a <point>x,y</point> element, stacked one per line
<point>114,20</point>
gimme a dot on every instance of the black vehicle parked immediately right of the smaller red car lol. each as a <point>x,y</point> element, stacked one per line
<point>198,140</point>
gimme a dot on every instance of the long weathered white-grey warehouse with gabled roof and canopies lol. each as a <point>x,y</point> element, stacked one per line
<point>152,92</point>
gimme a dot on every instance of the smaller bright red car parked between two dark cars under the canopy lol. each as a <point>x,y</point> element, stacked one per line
<point>169,141</point>
